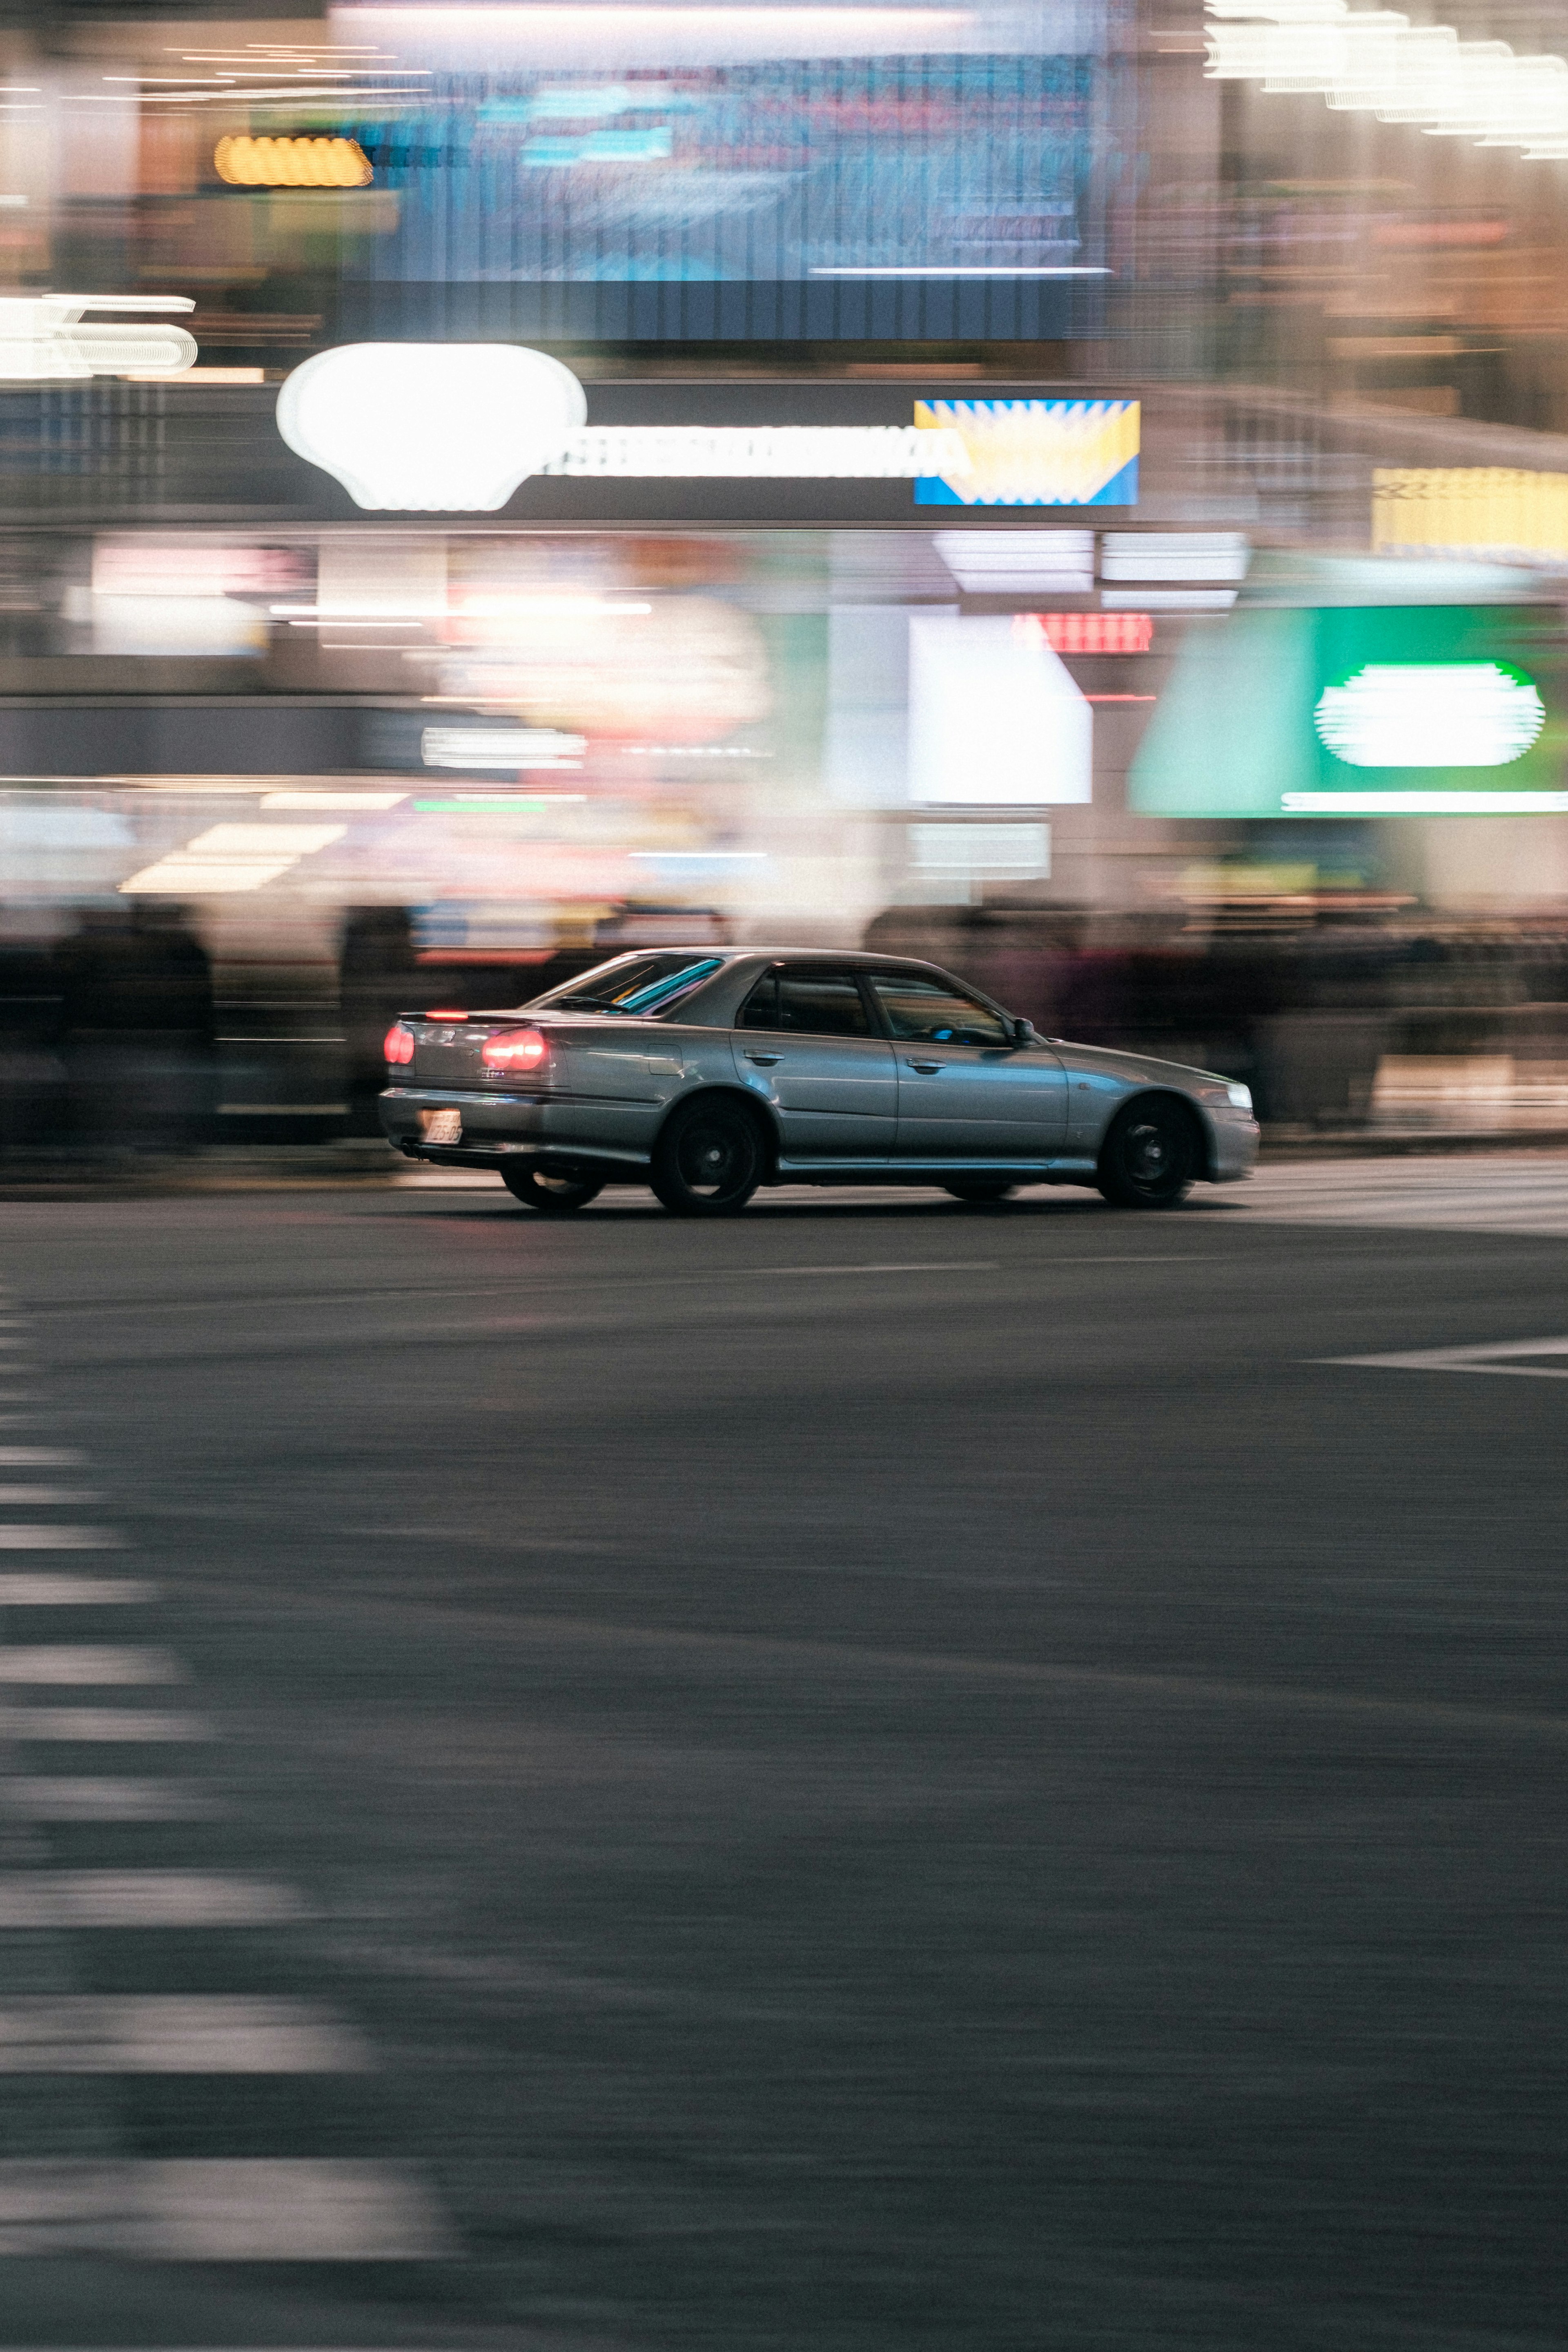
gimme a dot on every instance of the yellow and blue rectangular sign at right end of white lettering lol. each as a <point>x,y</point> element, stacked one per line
<point>1036,453</point>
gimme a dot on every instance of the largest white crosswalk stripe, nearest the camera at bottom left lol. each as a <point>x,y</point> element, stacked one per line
<point>220,2212</point>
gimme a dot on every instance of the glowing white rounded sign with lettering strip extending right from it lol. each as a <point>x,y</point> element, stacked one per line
<point>457,427</point>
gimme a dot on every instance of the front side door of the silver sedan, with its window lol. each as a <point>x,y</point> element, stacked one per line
<point>965,1090</point>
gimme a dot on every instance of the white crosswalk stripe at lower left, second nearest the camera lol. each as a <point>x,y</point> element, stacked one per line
<point>175,2036</point>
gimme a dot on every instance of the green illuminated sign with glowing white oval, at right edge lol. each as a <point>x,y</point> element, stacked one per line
<point>1362,711</point>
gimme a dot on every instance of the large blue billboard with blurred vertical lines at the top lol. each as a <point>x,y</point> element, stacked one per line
<point>883,173</point>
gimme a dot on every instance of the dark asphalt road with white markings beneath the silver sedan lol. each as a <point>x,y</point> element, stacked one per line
<point>869,1777</point>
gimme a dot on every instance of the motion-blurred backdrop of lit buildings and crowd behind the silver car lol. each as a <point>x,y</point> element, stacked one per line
<point>1061,726</point>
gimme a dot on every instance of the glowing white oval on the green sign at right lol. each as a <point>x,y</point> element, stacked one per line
<point>1442,714</point>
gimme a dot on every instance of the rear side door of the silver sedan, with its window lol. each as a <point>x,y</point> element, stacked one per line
<point>805,1041</point>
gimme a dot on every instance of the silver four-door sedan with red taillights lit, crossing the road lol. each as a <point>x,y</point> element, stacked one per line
<point>711,1071</point>
